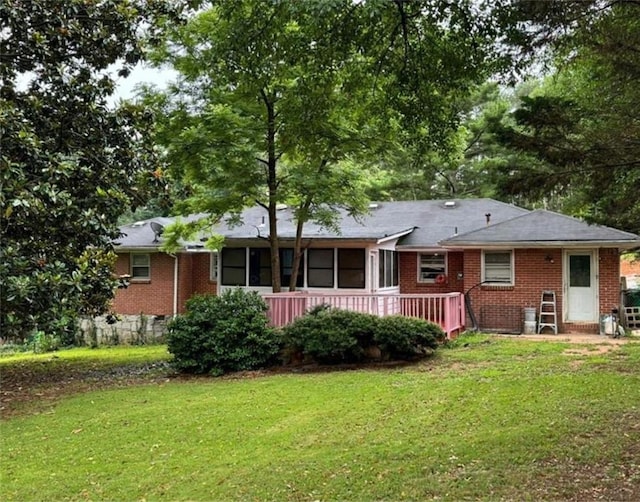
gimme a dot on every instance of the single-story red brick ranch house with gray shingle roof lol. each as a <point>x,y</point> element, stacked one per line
<point>501,255</point>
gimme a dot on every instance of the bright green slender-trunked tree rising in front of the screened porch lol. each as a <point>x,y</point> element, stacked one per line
<point>280,102</point>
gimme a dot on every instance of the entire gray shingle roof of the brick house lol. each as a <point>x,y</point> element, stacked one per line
<point>427,224</point>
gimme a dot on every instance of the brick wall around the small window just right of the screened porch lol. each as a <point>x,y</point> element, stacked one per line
<point>409,275</point>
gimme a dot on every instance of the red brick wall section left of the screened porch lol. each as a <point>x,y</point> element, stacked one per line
<point>155,296</point>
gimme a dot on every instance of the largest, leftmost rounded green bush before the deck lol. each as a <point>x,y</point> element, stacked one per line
<point>219,334</point>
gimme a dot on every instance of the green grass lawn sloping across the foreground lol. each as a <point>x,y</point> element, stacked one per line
<point>489,419</point>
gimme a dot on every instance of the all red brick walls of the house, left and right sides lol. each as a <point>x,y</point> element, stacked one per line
<point>499,307</point>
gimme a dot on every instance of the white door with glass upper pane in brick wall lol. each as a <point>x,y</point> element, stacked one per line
<point>581,286</point>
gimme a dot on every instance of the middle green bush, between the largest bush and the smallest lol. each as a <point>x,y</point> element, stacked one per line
<point>330,336</point>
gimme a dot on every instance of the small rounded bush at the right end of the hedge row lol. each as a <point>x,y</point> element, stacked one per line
<point>400,337</point>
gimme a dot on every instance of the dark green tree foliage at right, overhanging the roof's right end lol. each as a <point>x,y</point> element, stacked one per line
<point>582,124</point>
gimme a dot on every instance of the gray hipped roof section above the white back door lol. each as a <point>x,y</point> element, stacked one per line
<point>543,228</point>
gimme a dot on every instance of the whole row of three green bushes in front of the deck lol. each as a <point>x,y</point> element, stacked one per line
<point>230,332</point>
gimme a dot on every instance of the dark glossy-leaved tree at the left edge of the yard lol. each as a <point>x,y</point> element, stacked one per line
<point>67,160</point>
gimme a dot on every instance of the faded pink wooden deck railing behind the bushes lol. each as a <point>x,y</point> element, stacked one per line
<point>446,310</point>
